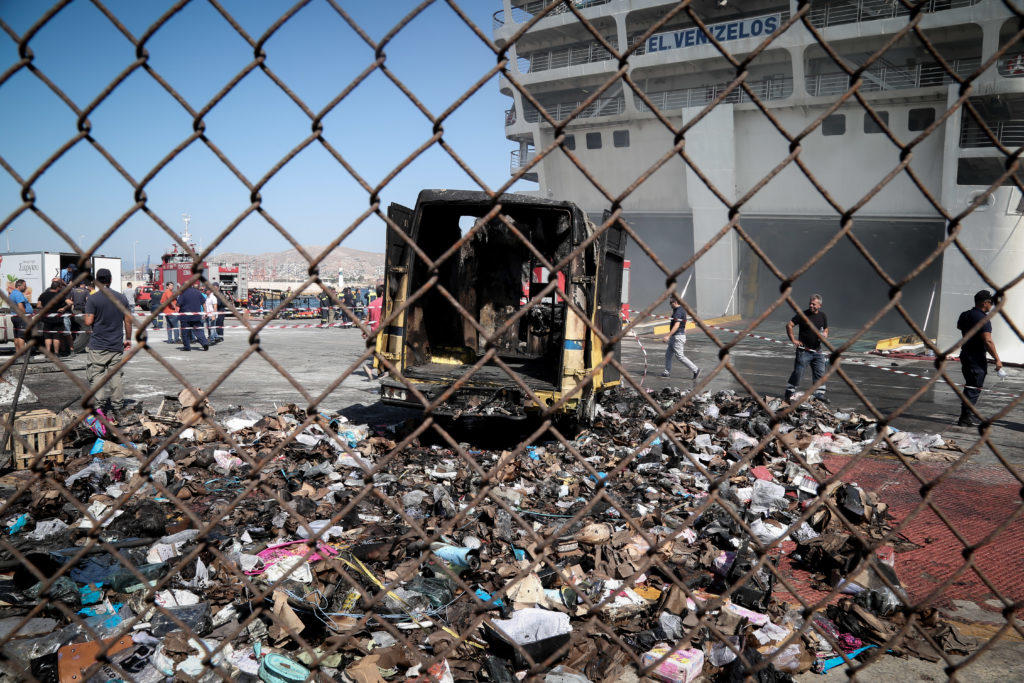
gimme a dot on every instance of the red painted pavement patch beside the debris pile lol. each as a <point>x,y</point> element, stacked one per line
<point>975,500</point>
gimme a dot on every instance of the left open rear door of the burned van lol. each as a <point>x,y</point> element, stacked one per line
<point>397,268</point>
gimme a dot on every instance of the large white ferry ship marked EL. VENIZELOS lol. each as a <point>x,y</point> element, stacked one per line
<point>560,62</point>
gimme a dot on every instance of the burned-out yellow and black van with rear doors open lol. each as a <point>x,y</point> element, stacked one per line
<point>456,288</point>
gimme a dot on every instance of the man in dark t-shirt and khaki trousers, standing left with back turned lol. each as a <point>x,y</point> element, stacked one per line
<point>111,338</point>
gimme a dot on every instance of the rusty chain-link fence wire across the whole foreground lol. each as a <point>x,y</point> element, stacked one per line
<point>542,540</point>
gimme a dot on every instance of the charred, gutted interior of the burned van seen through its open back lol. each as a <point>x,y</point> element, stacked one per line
<point>492,276</point>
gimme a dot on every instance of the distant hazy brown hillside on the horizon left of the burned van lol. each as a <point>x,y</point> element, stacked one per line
<point>358,266</point>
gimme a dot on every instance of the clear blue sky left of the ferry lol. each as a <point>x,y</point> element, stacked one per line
<point>198,53</point>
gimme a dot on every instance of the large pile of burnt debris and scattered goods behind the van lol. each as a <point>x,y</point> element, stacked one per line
<point>303,546</point>
